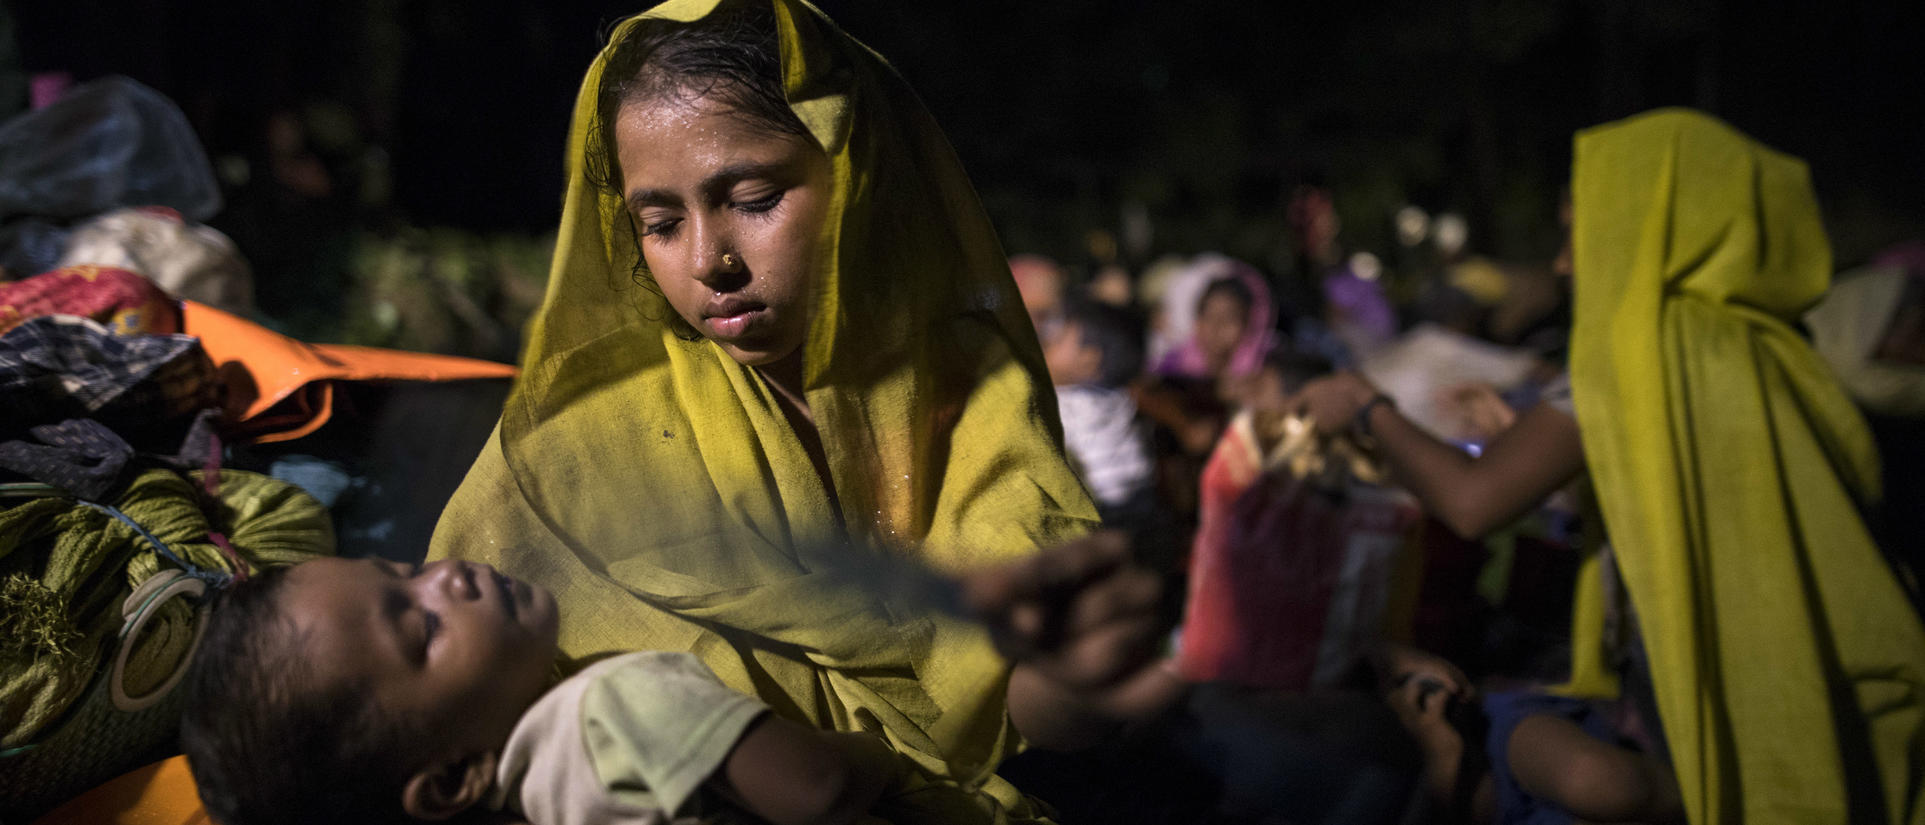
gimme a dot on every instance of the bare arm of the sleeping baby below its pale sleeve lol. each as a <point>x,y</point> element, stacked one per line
<point>792,774</point>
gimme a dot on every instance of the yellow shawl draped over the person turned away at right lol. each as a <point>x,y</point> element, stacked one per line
<point>1787,662</point>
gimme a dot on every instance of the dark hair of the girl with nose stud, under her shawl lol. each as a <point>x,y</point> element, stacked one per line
<point>732,57</point>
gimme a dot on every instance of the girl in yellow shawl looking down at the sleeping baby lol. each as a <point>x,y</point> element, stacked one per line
<point>779,324</point>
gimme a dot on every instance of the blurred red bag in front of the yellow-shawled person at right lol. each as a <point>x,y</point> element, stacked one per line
<point>1295,574</point>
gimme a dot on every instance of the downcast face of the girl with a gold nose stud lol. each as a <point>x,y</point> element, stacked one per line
<point>729,216</point>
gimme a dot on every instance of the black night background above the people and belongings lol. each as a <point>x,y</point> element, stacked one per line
<point>1069,114</point>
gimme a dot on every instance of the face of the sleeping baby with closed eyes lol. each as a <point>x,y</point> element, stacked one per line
<point>451,643</point>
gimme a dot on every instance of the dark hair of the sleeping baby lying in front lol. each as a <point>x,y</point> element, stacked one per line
<point>269,745</point>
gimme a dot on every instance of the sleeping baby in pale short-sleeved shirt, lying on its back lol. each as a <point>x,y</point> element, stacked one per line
<point>371,691</point>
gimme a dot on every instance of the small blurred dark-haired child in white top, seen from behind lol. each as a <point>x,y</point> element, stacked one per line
<point>1092,359</point>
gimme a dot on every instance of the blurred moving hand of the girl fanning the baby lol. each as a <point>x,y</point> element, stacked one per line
<point>1079,614</point>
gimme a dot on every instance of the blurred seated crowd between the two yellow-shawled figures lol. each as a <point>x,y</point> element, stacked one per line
<point>1154,366</point>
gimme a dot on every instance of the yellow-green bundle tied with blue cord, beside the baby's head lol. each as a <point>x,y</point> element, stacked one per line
<point>101,605</point>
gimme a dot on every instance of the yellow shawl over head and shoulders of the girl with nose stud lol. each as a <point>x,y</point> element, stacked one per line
<point>657,489</point>
